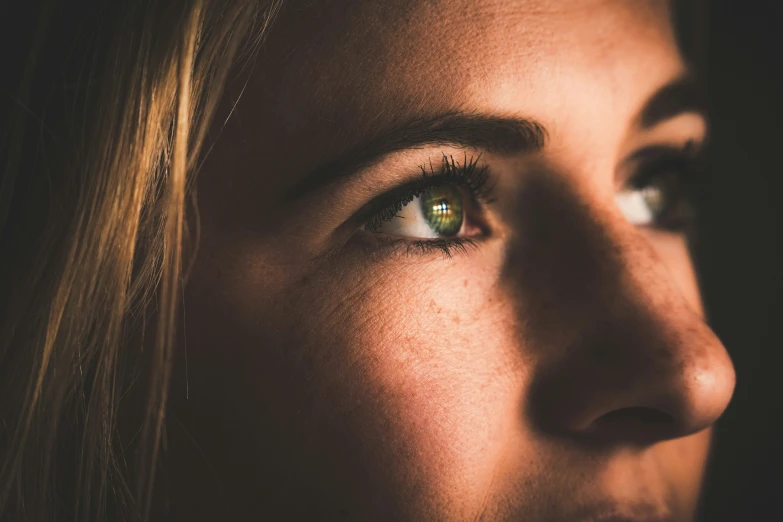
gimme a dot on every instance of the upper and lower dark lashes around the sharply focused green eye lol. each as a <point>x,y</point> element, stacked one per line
<point>469,175</point>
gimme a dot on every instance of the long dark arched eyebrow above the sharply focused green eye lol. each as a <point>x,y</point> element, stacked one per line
<point>455,128</point>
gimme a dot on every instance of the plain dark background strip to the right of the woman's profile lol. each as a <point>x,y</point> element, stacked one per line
<point>737,46</point>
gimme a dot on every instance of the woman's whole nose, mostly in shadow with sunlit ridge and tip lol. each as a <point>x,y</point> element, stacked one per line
<point>621,353</point>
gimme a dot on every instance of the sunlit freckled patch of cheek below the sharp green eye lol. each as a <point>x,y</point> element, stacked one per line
<point>438,372</point>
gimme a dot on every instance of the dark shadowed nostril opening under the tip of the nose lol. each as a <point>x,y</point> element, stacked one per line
<point>636,424</point>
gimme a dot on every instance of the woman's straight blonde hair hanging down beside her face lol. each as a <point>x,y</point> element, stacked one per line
<point>92,217</point>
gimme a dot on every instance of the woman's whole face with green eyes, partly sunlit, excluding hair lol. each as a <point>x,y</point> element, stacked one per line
<point>442,272</point>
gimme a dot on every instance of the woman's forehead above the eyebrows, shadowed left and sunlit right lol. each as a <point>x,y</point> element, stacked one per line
<point>335,72</point>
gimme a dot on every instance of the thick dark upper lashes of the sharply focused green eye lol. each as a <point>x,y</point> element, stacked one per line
<point>467,174</point>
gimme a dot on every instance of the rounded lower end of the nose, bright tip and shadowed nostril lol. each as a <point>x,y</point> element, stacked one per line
<point>640,384</point>
